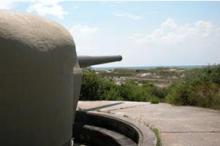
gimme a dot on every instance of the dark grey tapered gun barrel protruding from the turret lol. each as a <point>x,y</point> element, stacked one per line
<point>85,61</point>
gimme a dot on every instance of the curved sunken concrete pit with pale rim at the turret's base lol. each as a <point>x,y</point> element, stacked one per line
<point>98,129</point>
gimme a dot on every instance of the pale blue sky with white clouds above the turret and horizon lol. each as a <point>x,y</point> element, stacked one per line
<point>144,33</point>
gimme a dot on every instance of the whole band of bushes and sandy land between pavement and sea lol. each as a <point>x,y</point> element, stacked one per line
<point>194,86</point>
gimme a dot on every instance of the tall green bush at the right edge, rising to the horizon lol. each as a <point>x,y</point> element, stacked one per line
<point>200,88</point>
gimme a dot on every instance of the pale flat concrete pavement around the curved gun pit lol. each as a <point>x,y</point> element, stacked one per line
<point>178,125</point>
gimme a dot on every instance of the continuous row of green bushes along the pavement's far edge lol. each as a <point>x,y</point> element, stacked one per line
<point>200,87</point>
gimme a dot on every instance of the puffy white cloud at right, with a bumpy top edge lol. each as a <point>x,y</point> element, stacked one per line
<point>170,32</point>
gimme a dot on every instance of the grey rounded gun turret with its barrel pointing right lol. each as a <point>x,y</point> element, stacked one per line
<point>40,77</point>
